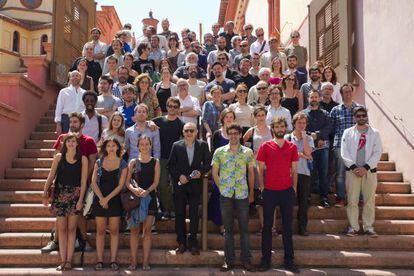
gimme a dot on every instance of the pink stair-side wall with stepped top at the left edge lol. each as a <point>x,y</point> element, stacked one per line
<point>23,100</point>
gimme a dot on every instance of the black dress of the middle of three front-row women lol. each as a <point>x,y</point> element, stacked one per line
<point>108,182</point>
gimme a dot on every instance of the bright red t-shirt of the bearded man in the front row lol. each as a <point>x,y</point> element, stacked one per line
<point>278,161</point>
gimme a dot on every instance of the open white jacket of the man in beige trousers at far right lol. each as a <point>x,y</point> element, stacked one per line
<point>350,142</point>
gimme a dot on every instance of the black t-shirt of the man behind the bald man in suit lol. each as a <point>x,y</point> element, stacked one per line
<point>170,132</point>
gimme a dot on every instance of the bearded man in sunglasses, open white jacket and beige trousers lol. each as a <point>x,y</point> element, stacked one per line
<point>361,151</point>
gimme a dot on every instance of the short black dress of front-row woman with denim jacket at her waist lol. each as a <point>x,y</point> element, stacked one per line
<point>145,177</point>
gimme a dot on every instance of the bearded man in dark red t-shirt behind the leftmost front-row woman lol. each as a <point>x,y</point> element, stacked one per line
<point>87,148</point>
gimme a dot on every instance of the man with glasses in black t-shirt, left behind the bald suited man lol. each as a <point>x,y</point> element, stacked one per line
<point>171,129</point>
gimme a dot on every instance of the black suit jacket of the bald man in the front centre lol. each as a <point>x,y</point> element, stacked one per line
<point>178,161</point>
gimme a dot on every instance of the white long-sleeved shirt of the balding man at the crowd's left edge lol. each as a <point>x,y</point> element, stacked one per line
<point>69,100</point>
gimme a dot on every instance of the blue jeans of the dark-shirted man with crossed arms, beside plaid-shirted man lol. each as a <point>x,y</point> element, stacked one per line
<point>320,171</point>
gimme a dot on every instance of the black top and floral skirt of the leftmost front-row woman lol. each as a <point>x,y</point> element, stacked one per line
<point>67,189</point>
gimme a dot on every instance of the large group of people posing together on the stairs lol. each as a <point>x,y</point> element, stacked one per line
<point>164,112</point>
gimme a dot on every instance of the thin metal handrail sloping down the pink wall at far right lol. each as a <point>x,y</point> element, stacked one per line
<point>388,109</point>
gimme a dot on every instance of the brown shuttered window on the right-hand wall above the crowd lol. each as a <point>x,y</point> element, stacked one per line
<point>327,34</point>
